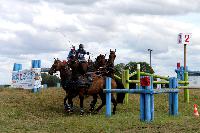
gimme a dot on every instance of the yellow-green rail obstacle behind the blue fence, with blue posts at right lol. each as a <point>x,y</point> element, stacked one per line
<point>182,77</point>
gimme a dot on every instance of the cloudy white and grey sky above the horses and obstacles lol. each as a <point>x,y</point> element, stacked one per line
<point>46,29</point>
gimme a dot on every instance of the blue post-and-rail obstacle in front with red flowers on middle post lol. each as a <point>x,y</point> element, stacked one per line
<point>146,97</point>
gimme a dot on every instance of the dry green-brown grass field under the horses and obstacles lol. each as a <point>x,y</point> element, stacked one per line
<point>23,111</point>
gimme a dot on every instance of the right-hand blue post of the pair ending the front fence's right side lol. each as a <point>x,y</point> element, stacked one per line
<point>175,97</point>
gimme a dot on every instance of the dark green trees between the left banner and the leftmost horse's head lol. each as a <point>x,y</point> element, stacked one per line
<point>50,80</point>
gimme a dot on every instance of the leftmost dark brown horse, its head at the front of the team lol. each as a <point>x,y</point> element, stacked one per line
<point>71,87</point>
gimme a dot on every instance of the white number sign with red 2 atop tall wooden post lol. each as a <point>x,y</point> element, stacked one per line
<point>184,38</point>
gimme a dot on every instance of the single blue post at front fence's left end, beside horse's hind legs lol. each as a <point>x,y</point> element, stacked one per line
<point>108,97</point>
